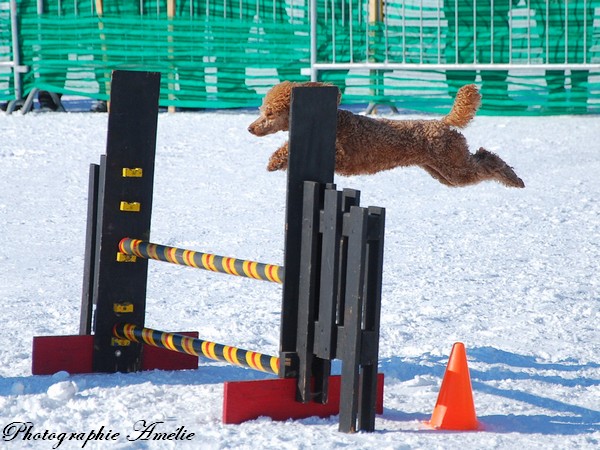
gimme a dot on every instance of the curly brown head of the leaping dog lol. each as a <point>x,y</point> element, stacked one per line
<point>275,109</point>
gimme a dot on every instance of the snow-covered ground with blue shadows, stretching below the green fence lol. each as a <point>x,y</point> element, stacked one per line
<point>511,273</point>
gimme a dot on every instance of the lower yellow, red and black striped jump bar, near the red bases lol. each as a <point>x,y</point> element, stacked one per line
<point>197,347</point>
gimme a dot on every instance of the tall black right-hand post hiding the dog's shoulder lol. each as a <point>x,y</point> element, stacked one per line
<point>313,119</point>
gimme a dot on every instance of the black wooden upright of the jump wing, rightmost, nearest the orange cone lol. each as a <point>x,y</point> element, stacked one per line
<point>358,347</point>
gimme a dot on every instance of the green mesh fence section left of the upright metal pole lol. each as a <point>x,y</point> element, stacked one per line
<point>208,59</point>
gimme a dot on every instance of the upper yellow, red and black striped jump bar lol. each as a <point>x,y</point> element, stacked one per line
<point>199,260</point>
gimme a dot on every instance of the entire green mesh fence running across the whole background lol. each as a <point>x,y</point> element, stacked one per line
<point>223,53</point>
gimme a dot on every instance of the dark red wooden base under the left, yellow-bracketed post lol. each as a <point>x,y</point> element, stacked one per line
<point>74,354</point>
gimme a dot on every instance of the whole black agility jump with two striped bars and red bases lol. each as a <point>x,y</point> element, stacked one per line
<point>333,260</point>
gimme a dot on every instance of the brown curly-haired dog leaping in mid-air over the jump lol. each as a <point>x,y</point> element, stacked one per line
<point>365,145</point>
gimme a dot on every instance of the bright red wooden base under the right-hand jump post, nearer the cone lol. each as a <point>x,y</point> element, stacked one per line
<point>248,400</point>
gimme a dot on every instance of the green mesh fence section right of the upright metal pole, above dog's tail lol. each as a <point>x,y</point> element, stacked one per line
<point>454,35</point>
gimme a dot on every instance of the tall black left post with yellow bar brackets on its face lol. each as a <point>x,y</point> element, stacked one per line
<point>125,205</point>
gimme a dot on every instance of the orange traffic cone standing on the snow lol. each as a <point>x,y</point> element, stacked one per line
<point>455,409</point>
